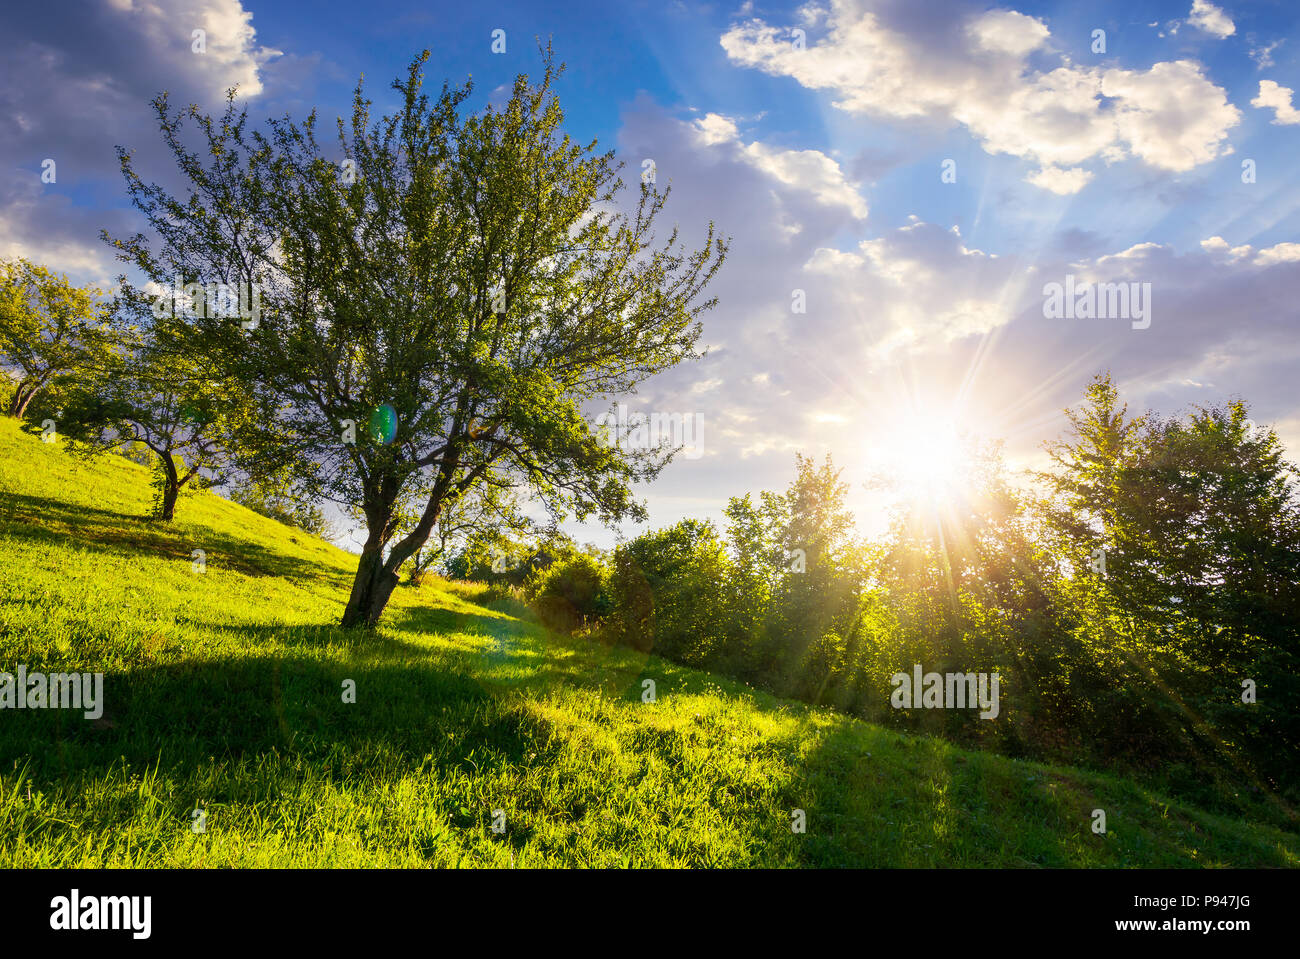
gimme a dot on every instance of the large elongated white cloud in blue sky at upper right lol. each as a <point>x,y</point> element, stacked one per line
<point>990,73</point>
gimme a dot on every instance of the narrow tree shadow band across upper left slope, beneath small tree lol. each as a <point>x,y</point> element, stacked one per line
<point>54,522</point>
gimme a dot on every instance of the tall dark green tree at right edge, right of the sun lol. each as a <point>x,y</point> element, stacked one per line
<point>1198,524</point>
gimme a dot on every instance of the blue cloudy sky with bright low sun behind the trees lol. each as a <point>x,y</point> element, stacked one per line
<point>903,183</point>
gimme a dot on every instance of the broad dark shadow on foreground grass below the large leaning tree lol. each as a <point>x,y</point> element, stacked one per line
<point>278,710</point>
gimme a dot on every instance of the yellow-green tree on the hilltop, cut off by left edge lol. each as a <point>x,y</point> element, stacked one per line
<point>50,331</point>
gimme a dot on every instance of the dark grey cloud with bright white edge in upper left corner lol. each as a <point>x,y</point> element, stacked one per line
<point>75,86</point>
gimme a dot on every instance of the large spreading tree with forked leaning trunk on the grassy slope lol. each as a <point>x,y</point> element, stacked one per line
<point>467,279</point>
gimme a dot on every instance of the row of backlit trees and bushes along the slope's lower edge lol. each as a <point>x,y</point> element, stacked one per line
<point>1138,662</point>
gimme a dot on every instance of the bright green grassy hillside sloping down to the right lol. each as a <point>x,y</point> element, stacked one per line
<point>224,692</point>
